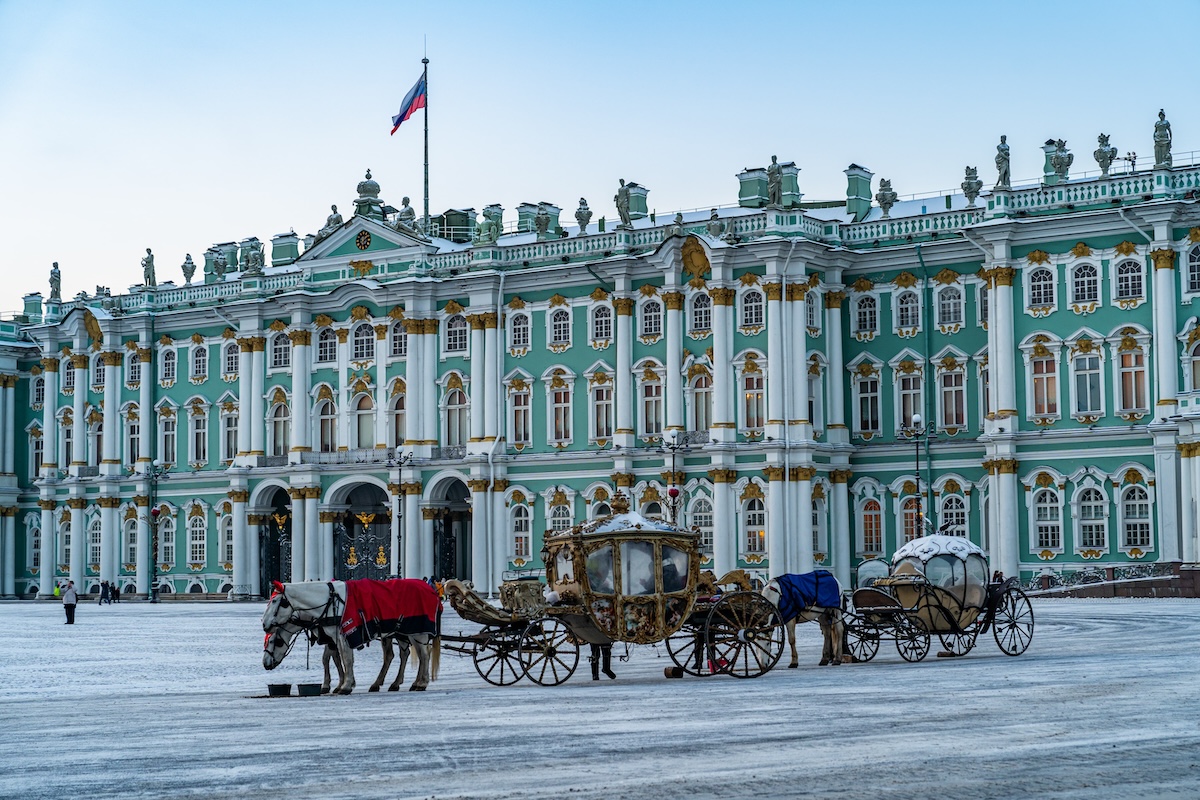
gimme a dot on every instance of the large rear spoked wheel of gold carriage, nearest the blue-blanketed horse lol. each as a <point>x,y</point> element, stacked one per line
<point>745,635</point>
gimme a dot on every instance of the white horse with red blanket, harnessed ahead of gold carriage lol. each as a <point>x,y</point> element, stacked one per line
<point>351,615</point>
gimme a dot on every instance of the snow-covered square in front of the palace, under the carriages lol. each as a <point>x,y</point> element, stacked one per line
<point>141,701</point>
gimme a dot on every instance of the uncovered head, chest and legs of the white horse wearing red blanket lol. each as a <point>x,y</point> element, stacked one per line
<point>315,606</point>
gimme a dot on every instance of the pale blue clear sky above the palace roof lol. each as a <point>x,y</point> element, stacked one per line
<point>173,127</point>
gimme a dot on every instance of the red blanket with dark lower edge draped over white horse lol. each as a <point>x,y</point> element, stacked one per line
<point>375,609</point>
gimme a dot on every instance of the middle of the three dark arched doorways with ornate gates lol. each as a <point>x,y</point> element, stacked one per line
<point>363,537</point>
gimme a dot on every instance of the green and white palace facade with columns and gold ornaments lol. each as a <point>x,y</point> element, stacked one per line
<point>373,401</point>
